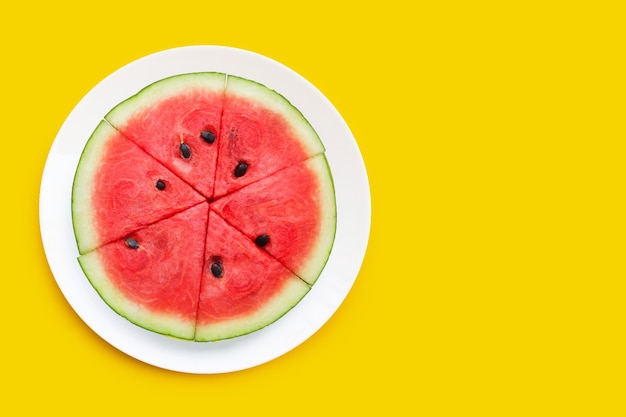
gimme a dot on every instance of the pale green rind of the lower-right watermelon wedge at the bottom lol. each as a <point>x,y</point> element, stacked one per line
<point>293,292</point>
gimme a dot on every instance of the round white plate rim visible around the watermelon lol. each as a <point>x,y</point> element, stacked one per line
<point>353,214</point>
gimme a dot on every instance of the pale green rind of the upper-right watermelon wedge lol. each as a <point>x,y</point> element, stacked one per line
<point>271,99</point>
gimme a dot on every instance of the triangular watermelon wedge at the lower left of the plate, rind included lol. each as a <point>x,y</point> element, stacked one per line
<point>152,276</point>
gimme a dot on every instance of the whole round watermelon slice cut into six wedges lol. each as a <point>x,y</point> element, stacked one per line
<point>148,241</point>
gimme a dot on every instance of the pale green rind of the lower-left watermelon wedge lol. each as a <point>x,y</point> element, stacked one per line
<point>150,320</point>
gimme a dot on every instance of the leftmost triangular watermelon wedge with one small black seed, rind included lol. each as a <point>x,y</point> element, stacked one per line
<point>118,188</point>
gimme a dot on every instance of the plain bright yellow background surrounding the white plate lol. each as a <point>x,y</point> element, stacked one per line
<point>493,135</point>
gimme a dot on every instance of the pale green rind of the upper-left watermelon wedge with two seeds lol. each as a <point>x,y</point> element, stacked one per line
<point>153,93</point>
